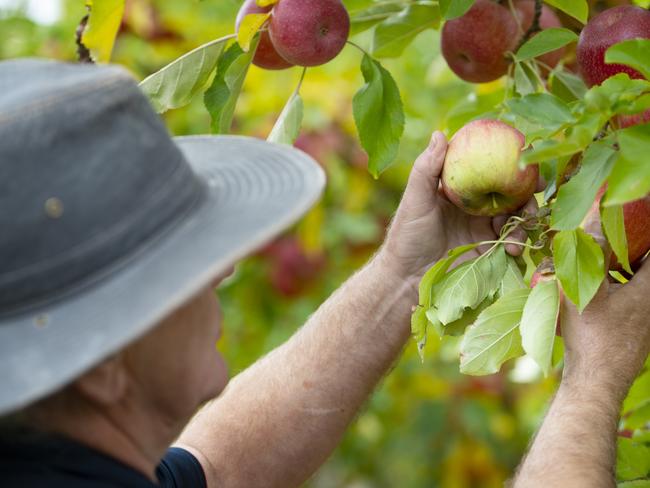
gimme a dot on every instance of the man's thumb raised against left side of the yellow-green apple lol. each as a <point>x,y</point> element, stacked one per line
<point>422,186</point>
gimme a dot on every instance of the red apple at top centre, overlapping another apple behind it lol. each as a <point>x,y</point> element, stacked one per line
<point>309,32</point>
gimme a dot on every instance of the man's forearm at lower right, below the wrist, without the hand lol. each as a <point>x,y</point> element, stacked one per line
<point>576,445</point>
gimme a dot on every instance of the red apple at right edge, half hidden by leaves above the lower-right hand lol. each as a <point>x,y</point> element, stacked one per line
<point>636,217</point>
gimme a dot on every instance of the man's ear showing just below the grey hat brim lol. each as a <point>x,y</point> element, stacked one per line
<point>106,383</point>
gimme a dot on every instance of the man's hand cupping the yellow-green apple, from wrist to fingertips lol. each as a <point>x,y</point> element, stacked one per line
<point>427,225</point>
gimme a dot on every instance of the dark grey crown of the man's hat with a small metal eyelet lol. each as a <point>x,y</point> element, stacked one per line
<point>88,176</point>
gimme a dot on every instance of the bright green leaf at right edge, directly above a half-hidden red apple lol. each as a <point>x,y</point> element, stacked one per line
<point>630,178</point>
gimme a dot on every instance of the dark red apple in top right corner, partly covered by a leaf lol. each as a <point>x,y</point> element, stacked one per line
<point>606,29</point>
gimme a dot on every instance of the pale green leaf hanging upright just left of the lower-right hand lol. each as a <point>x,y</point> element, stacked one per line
<point>538,323</point>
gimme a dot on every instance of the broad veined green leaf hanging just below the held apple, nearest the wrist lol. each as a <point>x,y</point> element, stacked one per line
<point>469,284</point>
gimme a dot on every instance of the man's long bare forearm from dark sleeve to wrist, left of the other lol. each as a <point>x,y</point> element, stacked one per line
<point>280,419</point>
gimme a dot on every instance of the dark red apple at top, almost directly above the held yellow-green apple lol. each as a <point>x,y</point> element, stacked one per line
<point>475,45</point>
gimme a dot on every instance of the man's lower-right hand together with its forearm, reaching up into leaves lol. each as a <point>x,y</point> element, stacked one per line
<point>605,348</point>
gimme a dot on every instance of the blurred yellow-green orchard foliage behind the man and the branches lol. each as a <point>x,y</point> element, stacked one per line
<point>427,424</point>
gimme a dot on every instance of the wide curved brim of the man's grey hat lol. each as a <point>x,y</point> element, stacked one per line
<point>256,190</point>
